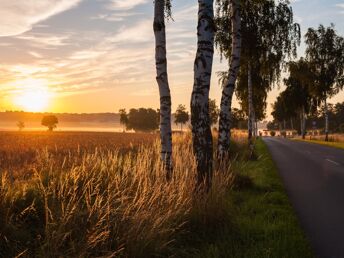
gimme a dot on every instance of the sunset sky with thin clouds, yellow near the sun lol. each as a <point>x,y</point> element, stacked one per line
<point>86,56</point>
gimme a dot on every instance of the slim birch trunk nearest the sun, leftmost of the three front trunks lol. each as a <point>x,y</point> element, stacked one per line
<point>162,80</point>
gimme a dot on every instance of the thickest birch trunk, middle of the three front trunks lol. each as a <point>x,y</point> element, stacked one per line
<point>200,119</point>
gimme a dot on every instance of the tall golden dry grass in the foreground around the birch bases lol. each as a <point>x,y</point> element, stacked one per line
<point>105,203</point>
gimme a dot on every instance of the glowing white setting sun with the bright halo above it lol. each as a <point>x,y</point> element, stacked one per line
<point>34,98</point>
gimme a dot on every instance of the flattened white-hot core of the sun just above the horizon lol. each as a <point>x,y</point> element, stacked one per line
<point>34,101</point>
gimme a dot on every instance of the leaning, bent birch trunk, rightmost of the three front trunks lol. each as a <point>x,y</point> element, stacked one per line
<point>225,122</point>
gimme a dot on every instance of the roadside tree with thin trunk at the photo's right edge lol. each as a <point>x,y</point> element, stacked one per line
<point>325,52</point>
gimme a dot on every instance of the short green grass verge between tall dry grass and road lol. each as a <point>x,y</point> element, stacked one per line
<point>263,223</point>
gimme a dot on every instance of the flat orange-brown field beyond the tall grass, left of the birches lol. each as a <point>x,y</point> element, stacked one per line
<point>18,150</point>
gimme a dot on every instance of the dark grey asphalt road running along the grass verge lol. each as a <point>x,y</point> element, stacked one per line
<point>313,176</point>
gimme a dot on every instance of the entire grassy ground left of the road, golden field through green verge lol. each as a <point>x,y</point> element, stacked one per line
<point>106,195</point>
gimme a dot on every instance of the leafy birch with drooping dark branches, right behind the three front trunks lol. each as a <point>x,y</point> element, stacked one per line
<point>269,36</point>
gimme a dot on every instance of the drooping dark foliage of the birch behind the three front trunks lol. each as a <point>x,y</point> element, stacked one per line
<point>269,36</point>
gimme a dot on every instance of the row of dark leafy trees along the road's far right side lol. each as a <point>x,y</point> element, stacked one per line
<point>312,81</point>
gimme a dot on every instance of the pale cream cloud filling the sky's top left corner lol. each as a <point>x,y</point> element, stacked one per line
<point>19,16</point>
